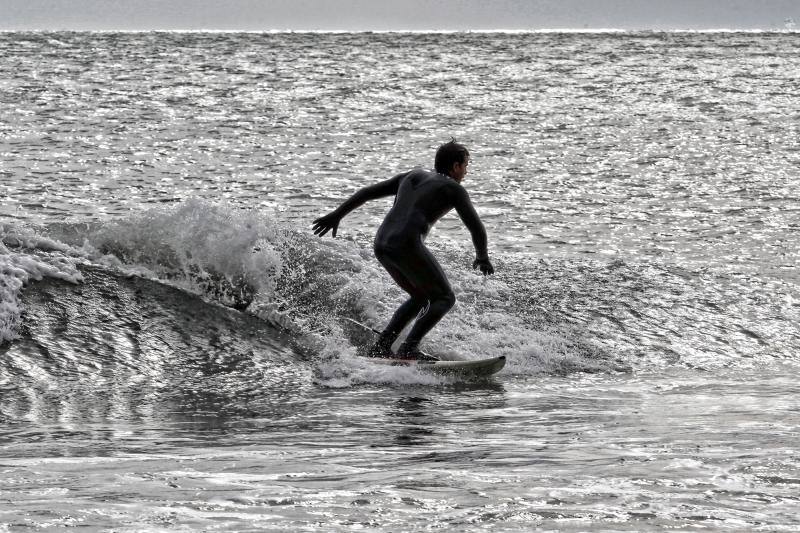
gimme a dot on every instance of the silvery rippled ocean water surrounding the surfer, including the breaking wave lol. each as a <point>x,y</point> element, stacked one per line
<point>172,356</point>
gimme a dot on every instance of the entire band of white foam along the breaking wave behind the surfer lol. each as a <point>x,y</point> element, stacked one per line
<point>302,284</point>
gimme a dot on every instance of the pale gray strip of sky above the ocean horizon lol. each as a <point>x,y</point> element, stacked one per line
<point>395,15</point>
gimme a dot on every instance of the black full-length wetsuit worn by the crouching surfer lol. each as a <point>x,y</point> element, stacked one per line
<point>421,198</point>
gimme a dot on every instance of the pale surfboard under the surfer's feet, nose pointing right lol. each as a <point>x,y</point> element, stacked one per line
<point>363,336</point>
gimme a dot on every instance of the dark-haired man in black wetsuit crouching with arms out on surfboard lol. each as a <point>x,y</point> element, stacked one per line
<point>421,198</point>
